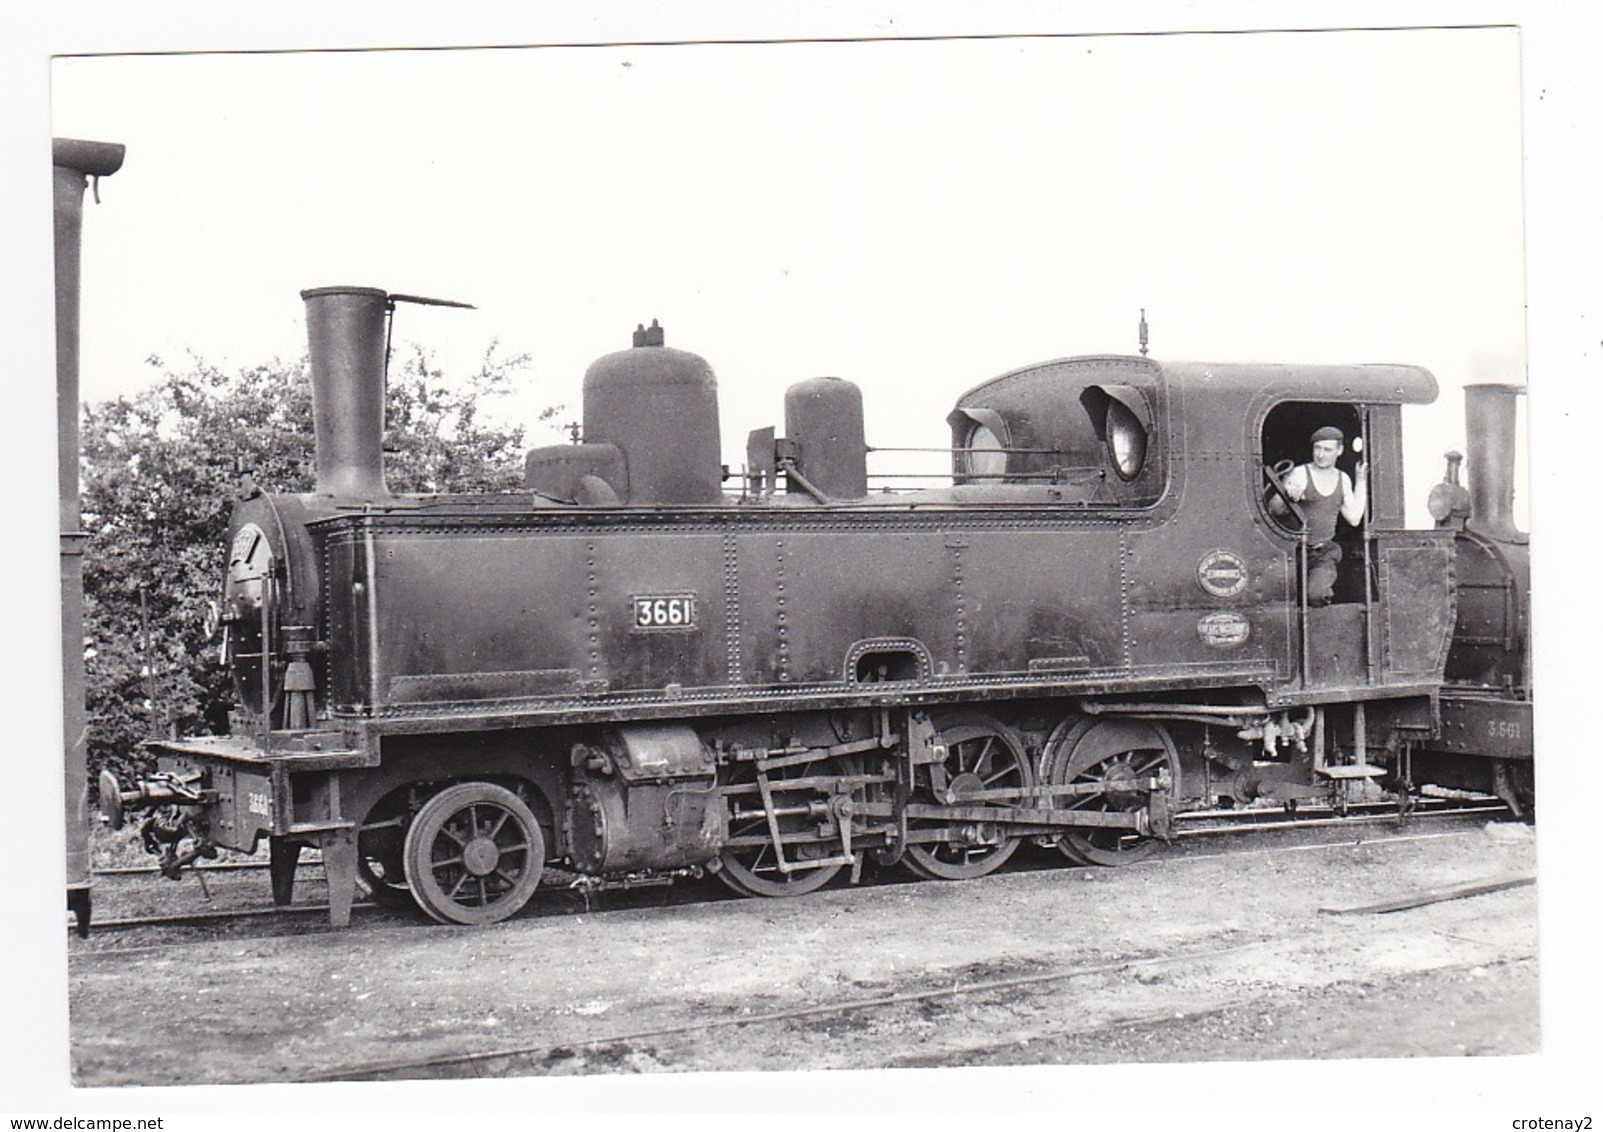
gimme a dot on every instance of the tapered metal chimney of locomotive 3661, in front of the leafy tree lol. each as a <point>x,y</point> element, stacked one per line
<point>345,328</point>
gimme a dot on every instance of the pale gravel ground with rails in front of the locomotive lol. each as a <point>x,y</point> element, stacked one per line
<point>1200,956</point>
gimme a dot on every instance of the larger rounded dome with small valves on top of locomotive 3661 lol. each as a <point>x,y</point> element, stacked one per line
<point>660,406</point>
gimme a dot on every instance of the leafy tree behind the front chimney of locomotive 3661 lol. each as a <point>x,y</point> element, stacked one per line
<point>159,477</point>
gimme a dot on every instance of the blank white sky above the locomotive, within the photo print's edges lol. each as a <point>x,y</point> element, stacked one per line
<point>913,216</point>
